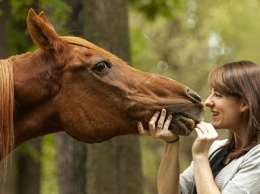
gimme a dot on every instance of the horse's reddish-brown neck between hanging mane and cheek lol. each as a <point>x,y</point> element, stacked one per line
<point>35,111</point>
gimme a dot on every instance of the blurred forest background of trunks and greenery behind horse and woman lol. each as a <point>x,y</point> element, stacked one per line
<point>180,39</point>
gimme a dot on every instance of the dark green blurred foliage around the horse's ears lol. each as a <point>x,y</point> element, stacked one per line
<point>18,37</point>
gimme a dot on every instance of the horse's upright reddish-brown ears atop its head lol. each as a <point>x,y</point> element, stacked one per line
<point>42,32</point>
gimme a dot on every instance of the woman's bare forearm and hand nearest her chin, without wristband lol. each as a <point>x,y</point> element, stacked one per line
<point>203,175</point>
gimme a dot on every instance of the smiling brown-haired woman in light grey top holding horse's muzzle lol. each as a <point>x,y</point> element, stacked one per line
<point>221,166</point>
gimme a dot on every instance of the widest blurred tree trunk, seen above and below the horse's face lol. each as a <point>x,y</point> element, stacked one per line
<point>113,166</point>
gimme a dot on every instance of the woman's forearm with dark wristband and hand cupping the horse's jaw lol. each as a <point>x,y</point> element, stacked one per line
<point>168,175</point>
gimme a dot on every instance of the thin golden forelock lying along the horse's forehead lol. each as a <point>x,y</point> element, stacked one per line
<point>84,43</point>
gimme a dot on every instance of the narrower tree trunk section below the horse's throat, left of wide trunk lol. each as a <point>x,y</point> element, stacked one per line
<point>71,165</point>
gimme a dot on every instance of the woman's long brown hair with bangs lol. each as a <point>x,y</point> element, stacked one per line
<point>240,79</point>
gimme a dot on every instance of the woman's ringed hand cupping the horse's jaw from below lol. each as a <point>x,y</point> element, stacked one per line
<point>160,131</point>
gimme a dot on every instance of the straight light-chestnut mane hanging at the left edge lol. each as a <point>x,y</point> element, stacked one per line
<point>6,108</point>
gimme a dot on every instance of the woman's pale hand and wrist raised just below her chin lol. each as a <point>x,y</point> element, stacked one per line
<point>207,134</point>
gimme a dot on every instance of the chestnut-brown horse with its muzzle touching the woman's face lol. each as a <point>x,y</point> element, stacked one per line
<point>72,85</point>
